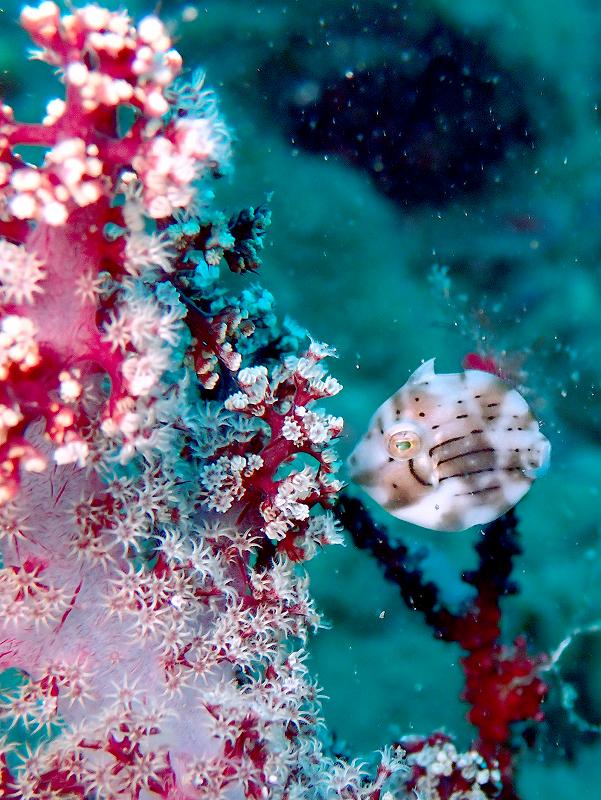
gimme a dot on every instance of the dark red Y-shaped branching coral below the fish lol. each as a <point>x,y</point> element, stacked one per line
<point>502,684</point>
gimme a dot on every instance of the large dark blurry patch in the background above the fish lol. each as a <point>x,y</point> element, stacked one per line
<point>425,113</point>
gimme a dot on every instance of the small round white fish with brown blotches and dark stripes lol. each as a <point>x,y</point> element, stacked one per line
<point>450,451</point>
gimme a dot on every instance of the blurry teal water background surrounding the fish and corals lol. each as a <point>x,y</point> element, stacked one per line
<point>356,269</point>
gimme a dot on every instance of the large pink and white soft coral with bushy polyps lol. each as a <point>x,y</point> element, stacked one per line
<point>164,470</point>
